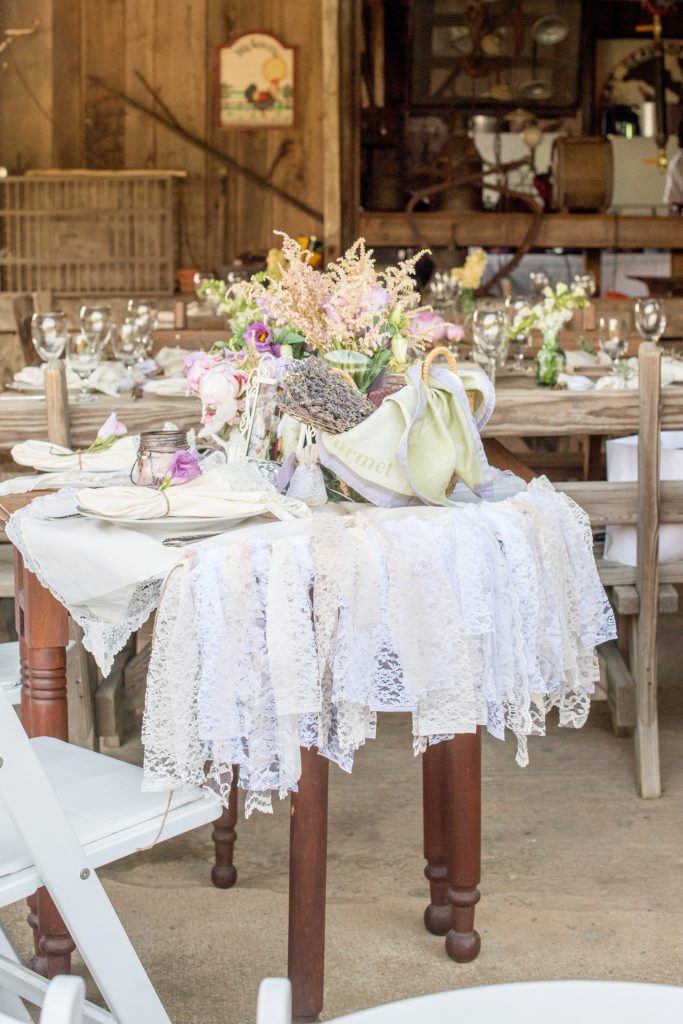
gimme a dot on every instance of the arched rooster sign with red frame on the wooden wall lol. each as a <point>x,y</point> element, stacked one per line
<point>257,83</point>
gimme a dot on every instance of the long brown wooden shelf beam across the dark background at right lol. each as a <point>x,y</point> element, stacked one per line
<point>570,231</point>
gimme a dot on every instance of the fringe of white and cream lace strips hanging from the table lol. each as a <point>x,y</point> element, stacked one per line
<point>483,615</point>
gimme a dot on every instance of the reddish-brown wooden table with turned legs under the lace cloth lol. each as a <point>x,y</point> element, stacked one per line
<point>452,782</point>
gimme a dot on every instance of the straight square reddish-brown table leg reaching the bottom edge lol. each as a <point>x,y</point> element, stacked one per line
<point>309,858</point>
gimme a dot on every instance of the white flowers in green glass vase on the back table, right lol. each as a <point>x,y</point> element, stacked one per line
<point>549,317</point>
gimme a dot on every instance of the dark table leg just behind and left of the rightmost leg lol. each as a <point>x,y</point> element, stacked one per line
<point>438,914</point>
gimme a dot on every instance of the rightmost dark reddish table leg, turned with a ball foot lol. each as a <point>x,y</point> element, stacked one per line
<point>463,789</point>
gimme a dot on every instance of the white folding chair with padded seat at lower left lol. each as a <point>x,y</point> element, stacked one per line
<point>64,813</point>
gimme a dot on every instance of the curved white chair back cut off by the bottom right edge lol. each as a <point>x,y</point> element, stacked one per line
<point>526,1003</point>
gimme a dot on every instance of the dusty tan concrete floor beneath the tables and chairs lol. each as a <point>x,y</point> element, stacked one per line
<point>581,879</point>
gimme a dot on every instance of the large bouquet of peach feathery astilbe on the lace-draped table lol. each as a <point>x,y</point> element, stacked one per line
<point>356,318</point>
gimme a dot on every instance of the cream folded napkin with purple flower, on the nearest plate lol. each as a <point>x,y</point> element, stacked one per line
<point>233,492</point>
